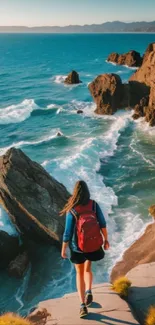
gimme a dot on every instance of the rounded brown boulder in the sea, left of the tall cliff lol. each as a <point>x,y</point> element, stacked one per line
<point>107,91</point>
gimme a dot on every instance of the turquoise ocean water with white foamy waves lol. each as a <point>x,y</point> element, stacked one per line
<point>114,155</point>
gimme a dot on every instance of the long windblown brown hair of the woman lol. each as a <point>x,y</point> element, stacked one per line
<point>81,195</point>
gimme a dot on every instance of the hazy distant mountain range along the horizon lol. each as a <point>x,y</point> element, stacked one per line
<point>108,27</point>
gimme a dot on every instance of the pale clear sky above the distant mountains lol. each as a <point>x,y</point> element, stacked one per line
<point>66,12</point>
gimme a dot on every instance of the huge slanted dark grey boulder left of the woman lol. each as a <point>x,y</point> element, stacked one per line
<point>31,197</point>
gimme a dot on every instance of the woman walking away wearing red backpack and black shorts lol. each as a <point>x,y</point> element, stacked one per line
<point>85,233</point>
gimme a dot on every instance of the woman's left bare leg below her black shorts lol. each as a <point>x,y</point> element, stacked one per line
<point>80,281</point>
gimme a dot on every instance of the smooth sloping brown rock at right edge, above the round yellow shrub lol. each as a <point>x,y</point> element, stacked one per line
<point>141,252</point>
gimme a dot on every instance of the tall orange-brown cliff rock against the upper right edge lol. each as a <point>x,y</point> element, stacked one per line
<point>145,78</point>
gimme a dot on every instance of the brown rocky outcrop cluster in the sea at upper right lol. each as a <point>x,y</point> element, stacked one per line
<point>110,94</point>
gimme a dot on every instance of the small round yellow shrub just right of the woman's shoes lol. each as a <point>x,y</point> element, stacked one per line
<point>121,286</point>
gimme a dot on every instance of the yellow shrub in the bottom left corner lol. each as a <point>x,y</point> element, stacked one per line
<point>12,319</point>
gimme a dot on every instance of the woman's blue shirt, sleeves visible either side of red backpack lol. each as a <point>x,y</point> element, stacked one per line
<point>70,228</point>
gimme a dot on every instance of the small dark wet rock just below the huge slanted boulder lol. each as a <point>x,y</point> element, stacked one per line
<point>19,265</point>
